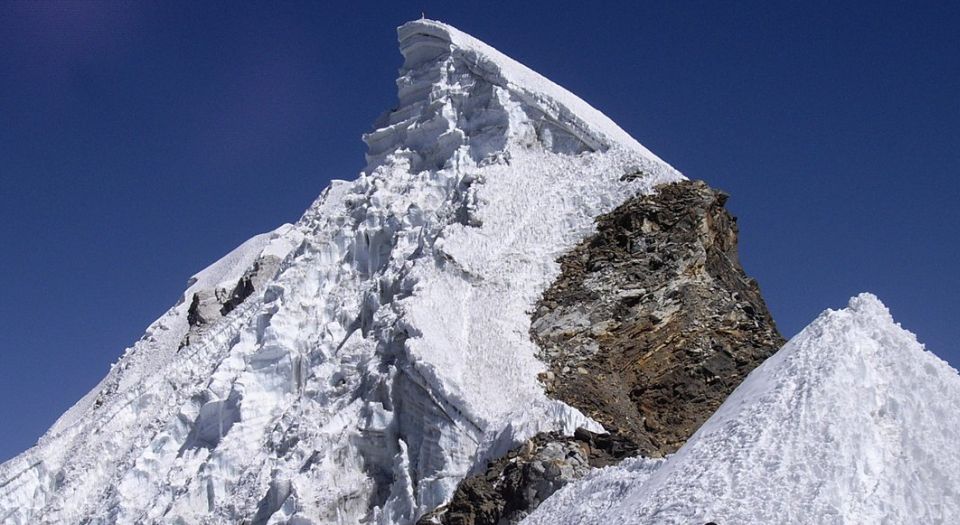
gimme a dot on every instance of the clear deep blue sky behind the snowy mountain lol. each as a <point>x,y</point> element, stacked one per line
<point>141,141</point>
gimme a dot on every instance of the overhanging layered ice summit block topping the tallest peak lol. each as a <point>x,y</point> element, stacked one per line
<point>461,102</point>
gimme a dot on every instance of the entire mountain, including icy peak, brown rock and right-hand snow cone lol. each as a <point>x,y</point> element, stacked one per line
<point>359,365</point>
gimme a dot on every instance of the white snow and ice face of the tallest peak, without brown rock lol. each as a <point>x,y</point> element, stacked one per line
<point>388,353</point>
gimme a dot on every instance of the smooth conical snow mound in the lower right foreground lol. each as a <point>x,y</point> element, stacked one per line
<point>852,421</point>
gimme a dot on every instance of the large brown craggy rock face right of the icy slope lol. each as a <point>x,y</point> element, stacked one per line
<point>653,321</point>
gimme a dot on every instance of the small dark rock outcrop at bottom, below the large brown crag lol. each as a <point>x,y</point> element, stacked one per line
<point>515,484</point>
